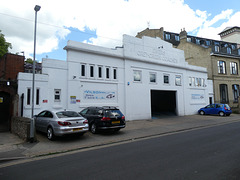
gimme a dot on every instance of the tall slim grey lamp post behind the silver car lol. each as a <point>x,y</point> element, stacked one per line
<point>36,9</point>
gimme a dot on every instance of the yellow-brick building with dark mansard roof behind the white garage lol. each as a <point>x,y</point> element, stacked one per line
<point>220,57</point>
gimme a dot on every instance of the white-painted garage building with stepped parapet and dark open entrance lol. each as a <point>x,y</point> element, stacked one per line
<point>144,78</point>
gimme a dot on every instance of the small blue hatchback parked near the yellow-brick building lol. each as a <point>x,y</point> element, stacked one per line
<point>216,109</point>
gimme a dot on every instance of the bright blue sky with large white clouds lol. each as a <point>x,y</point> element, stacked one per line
<point>103,22</point>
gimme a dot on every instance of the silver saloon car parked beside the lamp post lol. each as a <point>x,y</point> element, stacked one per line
<point>59,123</point>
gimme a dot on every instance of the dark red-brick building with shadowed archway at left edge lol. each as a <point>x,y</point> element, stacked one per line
<point>10,66</point>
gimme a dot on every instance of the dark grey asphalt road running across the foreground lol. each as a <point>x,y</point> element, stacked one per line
<point>209,153</point>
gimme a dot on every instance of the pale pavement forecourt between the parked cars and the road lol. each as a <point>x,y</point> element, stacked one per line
<point>12,148</point>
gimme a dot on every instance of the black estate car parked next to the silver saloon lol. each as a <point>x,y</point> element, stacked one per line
<point>103,118</point>
